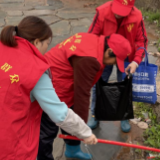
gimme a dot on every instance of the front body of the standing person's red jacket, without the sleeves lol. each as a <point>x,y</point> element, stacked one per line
<point>128,27</point>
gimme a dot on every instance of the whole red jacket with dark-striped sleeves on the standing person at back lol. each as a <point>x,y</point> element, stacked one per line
<point>132,28</point>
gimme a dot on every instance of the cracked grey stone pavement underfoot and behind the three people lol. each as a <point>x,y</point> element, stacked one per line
<point>67,17</point>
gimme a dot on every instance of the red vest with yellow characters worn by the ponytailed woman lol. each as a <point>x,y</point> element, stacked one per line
<point>20,70</point>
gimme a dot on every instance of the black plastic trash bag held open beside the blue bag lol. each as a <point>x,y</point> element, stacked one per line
<point>114,100</point>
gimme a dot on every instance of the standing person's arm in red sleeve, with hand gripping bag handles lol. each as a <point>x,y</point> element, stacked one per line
<point>141,41</point>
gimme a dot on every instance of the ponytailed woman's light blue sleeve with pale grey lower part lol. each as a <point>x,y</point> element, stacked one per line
<point>65,118</point>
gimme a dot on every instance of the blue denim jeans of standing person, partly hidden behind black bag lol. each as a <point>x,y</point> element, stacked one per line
<point>105,76</point>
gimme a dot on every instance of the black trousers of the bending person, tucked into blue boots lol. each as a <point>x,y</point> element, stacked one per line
<point>48,132</point>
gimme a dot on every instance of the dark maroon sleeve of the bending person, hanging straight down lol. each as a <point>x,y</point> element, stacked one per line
<point>85,70</point>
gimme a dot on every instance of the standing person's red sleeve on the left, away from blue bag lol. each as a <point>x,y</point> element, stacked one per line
<point>95,27</point>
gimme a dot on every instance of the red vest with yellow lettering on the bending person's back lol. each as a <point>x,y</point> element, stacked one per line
<point>81,44</point>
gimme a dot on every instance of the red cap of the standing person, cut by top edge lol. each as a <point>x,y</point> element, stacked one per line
<point>122,7</point>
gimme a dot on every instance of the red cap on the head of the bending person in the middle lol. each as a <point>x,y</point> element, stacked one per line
<point>121,48</point>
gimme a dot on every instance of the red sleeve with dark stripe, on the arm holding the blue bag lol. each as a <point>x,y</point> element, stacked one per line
<point>141,41</point>
